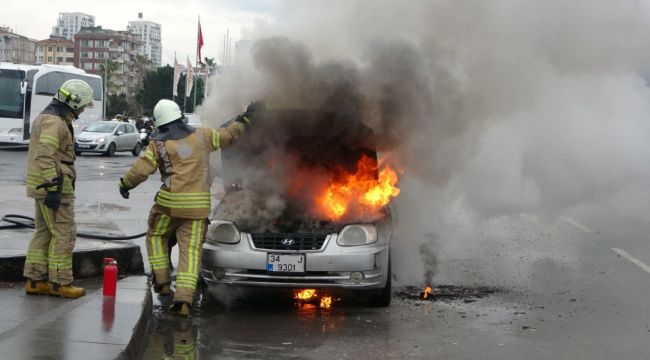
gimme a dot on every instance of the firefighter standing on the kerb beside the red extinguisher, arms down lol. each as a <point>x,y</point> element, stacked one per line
<point>50,181</point>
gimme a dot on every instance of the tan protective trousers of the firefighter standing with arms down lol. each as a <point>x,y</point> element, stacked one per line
<point>49,256</point>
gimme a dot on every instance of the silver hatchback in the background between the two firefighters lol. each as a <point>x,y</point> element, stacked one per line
<point>108,137</point>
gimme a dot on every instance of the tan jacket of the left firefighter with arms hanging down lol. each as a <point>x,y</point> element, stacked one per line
<point>51,151</point>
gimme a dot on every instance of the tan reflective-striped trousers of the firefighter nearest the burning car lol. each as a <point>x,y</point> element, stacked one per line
<point>189,234</point>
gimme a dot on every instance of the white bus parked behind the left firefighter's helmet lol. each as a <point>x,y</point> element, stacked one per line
<point>25,90</point>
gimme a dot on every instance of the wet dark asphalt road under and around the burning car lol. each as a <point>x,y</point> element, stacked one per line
<point>594,306</point>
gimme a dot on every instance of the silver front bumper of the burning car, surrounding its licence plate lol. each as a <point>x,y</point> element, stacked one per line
<point>330,267</point>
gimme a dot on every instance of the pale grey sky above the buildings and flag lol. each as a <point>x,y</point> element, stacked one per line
<point>178,19</point>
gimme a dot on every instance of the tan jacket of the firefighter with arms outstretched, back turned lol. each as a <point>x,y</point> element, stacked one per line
<point>184,165</point>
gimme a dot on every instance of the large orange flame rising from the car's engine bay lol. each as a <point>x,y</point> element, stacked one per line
<point>362,190</point>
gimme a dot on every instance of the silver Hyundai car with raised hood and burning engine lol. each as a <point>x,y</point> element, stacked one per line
<point>305,205</point>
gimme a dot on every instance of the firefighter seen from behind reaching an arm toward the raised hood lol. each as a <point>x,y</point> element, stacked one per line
<point>182,205</point>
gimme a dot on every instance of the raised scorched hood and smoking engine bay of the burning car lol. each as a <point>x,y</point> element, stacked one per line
<point>275,175</point>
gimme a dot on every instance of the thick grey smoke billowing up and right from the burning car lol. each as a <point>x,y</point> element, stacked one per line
<point>506,117</point>
